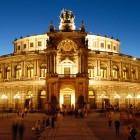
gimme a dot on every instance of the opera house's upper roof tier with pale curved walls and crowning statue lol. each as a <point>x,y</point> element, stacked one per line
<point>37,43</point>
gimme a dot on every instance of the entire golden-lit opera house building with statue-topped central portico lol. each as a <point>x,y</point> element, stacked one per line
<point>68,67</point>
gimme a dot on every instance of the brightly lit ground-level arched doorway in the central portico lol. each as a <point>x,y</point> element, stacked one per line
<point>67,98</point>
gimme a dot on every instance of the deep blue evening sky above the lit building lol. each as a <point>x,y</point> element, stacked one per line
<point>117,18</point>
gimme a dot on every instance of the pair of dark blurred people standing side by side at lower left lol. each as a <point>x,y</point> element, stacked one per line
<point>18,127</point>
